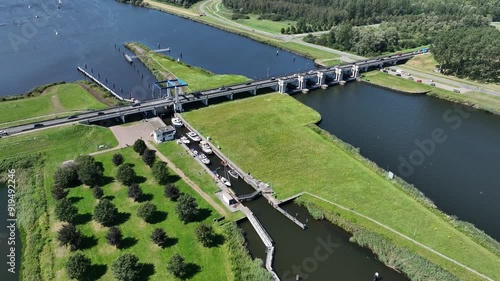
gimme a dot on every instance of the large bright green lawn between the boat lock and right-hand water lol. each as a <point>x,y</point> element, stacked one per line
<point>267,136</point>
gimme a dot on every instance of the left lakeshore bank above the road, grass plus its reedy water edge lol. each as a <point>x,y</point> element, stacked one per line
<point>53,101</point>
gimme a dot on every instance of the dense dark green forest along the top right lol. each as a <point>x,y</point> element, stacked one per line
<point>459,31</point>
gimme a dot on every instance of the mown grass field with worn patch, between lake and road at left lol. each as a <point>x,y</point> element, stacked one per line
<point>57,101</point>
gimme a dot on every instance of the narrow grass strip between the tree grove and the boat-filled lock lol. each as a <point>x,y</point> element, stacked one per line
<point>192,169</point>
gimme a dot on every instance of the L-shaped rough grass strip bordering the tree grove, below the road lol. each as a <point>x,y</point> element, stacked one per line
<point>36,156</point>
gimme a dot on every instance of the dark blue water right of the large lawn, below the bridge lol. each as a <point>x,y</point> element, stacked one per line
<point>457,170</point>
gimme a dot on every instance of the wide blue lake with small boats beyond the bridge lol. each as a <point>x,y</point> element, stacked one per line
<point>43,44</point>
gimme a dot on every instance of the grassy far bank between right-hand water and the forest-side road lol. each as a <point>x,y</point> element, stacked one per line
<point>475,99</point>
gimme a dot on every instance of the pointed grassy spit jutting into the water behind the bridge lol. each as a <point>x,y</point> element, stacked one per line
<point>164,67</point>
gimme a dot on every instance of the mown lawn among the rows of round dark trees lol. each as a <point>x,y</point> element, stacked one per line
<point>210,263</point>
